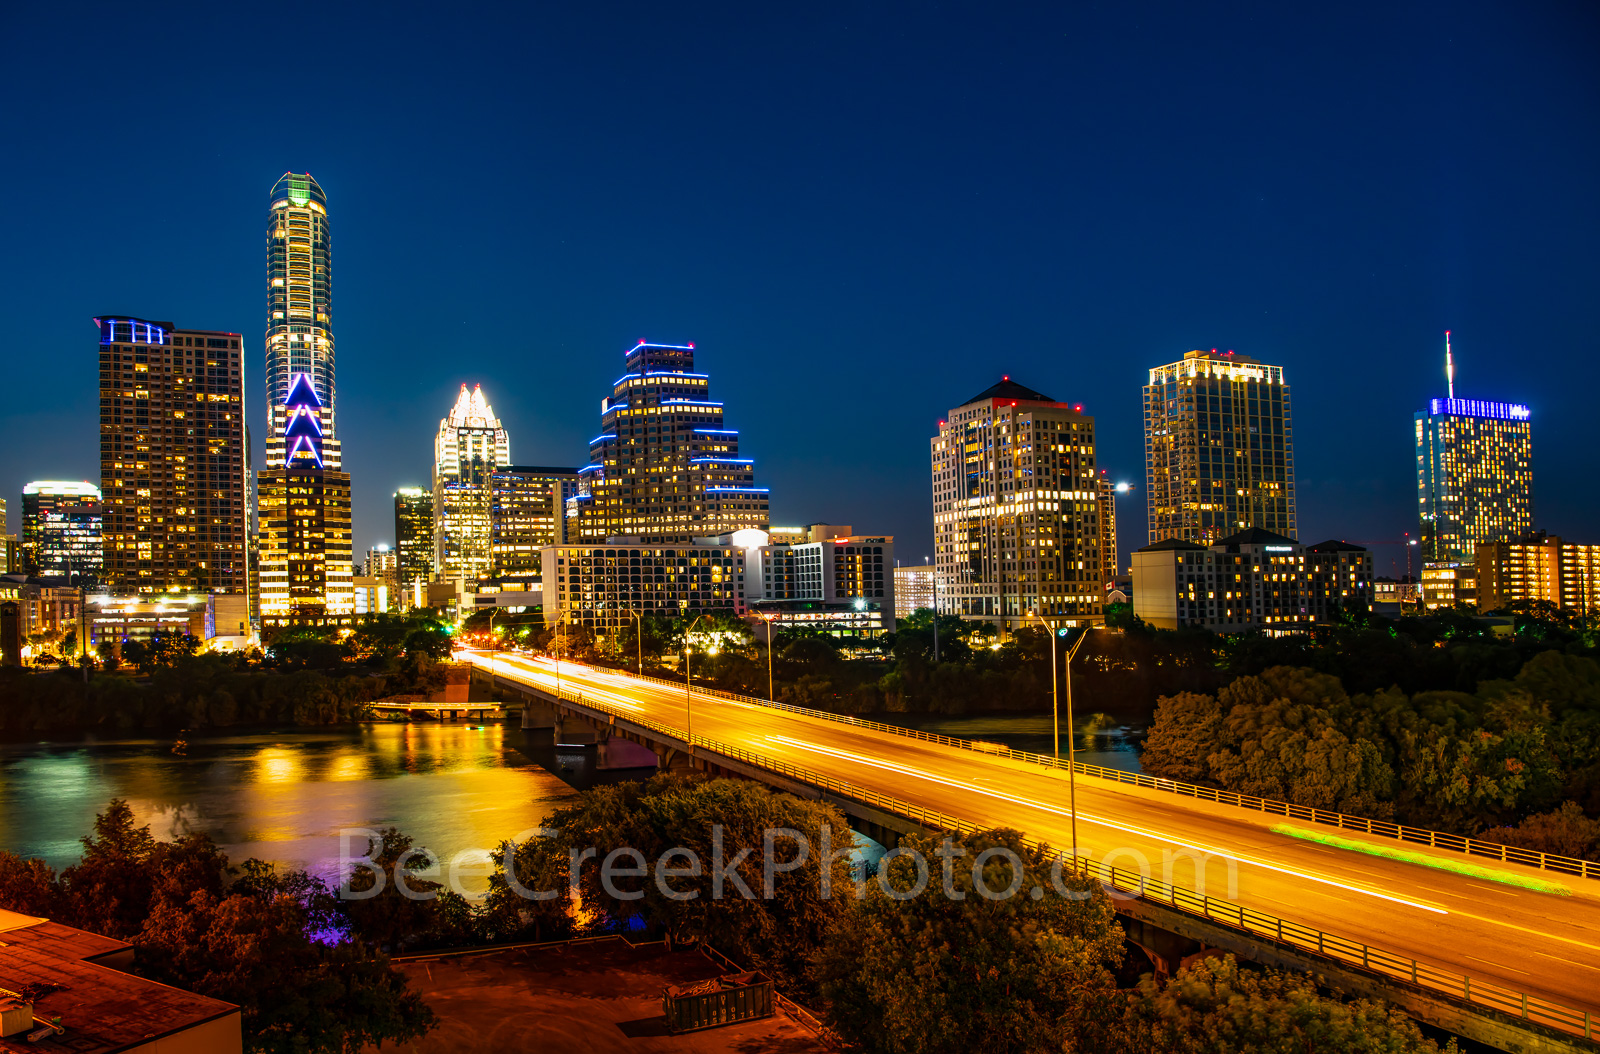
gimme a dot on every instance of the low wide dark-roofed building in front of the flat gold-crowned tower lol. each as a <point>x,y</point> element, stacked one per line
<point>1250,581</point>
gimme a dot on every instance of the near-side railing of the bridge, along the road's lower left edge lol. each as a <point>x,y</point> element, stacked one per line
<point>1354,954</point>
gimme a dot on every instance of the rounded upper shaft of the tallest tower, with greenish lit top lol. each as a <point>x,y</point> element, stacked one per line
<point>300,306</point>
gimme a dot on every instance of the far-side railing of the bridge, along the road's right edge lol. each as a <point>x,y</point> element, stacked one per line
<point>1383,829</point>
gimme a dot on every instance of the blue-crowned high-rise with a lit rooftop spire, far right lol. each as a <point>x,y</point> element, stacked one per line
<point>1474,473</point>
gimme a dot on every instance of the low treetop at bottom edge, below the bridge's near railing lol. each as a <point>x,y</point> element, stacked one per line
<point>1217,1007</point>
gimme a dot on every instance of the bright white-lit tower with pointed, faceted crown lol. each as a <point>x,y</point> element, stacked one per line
<point>471,445</point>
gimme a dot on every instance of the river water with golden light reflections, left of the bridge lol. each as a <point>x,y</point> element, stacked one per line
<point>284,797</point>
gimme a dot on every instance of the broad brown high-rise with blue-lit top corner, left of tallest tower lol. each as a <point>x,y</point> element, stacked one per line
<point>175,461</point>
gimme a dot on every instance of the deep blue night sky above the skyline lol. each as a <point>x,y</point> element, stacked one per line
<point>862,215</point>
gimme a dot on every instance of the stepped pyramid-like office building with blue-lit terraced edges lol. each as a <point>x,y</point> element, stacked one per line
<point>665,469</point>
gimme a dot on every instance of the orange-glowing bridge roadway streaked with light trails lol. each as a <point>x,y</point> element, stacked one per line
<point>1521,938</point>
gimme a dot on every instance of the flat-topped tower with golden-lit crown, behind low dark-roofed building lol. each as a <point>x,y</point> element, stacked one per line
<point>1218,449</point>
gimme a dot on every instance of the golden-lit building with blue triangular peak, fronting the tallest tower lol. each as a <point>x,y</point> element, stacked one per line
<point>305,514</point>
